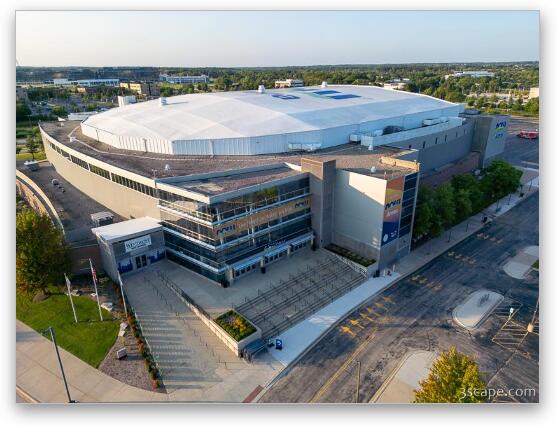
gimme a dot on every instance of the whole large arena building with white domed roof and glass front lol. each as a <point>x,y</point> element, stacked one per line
<point>228,183</point>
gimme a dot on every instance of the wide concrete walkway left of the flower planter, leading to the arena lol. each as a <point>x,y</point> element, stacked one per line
<point>195,364</point>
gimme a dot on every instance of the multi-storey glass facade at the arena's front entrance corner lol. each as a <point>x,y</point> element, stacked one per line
<point>252,222</point>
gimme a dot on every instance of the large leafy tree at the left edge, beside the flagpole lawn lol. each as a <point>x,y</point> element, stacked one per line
<point>42,255</point>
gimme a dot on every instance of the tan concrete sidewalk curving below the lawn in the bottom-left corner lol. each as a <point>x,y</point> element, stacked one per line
<point>38,375</point>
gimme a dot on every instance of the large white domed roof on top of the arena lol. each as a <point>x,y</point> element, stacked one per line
<point>243,115</point>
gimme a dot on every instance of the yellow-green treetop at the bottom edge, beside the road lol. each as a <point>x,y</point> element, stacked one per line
<point>454,378</point>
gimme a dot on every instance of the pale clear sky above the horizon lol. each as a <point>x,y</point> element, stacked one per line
<point>247,39</point>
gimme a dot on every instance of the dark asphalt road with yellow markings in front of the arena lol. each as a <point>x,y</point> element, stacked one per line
<point>414,315</point>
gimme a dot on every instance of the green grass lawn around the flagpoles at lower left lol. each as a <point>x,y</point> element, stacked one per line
<point>89,340</point>
